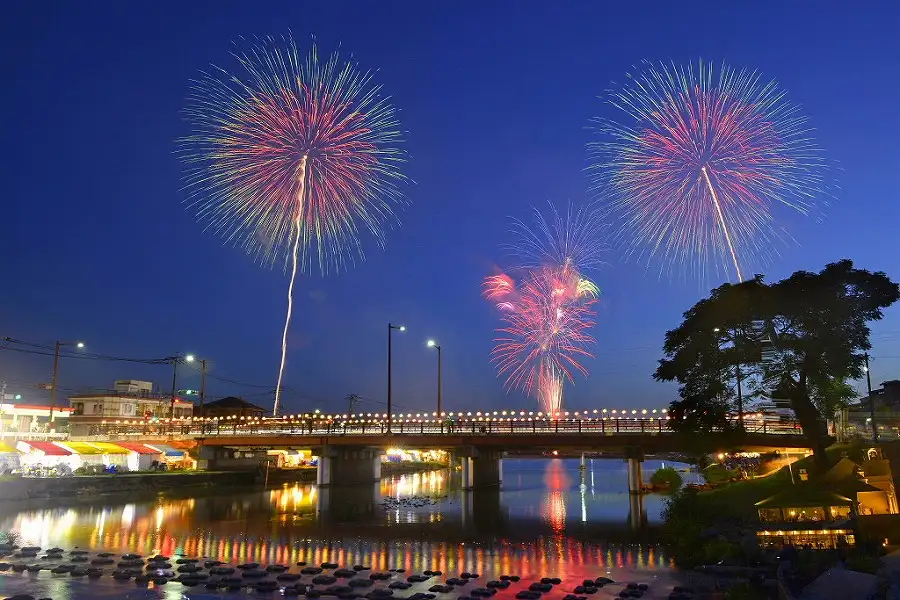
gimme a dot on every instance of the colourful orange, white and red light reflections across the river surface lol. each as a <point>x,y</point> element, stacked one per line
<point>285,525</point>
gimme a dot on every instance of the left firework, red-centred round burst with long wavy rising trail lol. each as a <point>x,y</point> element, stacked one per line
<point>290,157</point>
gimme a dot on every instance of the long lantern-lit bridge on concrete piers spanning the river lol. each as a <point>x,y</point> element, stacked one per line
<point>350,446</point>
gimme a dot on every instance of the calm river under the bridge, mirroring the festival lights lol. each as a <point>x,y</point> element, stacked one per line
<point>550,520</point>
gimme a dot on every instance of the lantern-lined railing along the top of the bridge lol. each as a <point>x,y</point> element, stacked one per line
<point>322,427</point>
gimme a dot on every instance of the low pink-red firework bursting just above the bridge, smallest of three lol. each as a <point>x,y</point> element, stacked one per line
<point>548,315</point>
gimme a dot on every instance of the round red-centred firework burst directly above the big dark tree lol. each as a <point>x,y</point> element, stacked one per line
<point>699,158</point>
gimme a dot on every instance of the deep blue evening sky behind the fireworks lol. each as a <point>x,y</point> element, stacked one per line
<point>495,96</point>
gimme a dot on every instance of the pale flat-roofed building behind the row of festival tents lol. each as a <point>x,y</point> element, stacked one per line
<point>129,400</point>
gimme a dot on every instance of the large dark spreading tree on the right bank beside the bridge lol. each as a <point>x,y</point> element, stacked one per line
<point>812,328</point>
